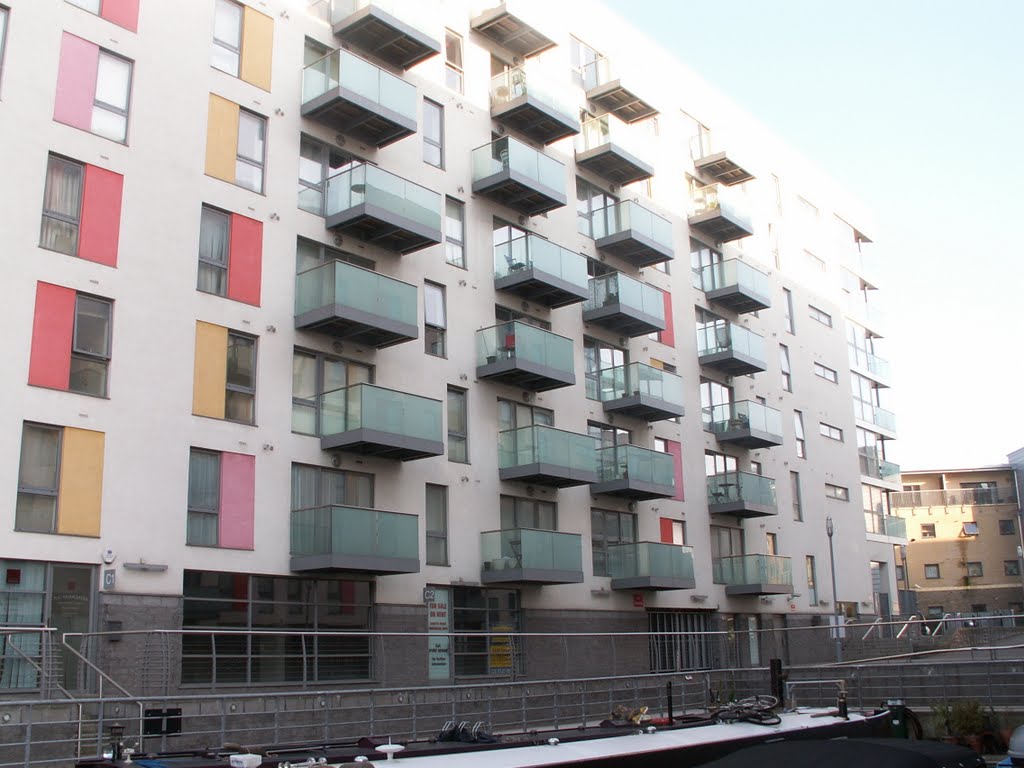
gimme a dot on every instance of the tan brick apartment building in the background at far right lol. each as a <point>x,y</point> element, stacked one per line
<point>964,532</point>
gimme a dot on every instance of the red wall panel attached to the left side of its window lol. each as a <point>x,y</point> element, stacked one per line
<point>53,327</point>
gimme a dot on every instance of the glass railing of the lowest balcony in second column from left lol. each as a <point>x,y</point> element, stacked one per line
<point>530,549</point>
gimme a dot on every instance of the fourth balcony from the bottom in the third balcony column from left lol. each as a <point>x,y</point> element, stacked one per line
<point>624,306</point>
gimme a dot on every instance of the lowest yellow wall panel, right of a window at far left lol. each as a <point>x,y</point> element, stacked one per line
<point>81,492</point>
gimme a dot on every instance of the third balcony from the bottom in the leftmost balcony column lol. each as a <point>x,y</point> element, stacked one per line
<point>354,305</point>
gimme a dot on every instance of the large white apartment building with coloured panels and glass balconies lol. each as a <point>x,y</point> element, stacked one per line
<point>424,319</point>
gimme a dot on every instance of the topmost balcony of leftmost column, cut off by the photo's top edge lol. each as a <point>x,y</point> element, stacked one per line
<point>391,30</point>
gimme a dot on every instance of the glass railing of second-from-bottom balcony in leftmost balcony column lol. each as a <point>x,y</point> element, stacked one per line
<point>372,408</point>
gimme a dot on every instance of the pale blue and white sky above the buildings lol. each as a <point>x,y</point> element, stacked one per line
<point>917,107</point>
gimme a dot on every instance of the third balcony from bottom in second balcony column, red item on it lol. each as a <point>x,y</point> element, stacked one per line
<point>524,356</point>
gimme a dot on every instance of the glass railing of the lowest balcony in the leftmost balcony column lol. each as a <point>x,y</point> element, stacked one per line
<point>355,532</point>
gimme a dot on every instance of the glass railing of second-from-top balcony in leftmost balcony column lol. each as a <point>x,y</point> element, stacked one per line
<point>382,92</point>
